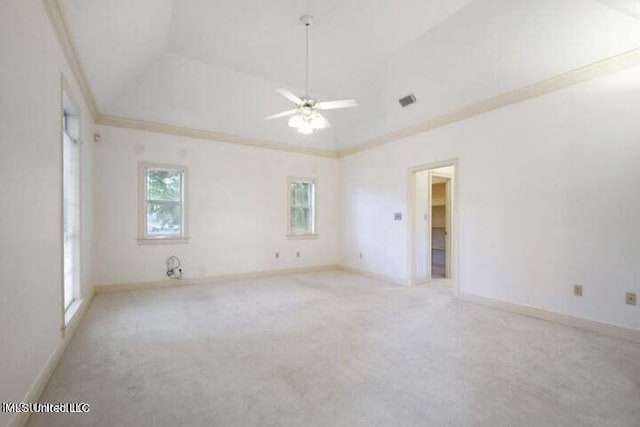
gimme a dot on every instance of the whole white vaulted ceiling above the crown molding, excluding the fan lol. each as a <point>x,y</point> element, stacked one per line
<point>214,64</point>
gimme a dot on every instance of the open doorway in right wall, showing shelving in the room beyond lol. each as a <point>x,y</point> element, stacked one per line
<point>432,224</point>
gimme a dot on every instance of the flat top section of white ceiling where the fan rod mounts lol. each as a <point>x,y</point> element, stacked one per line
<point>266,38</point>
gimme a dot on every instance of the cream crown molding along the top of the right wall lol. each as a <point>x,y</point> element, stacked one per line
<point>579,75</point>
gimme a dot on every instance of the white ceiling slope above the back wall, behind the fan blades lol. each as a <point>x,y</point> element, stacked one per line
<point>189,93</point>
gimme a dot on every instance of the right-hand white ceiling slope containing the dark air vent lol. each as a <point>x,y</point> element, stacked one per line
<point>491,47</point>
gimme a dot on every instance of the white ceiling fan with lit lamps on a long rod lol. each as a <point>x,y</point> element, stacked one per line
<point>306,117</point>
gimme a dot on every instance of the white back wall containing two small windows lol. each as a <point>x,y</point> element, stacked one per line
<point>237,212</point>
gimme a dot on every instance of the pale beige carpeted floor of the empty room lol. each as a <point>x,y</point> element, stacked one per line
<point>335,349</point>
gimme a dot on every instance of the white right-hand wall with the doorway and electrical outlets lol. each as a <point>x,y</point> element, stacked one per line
<point>548,197</point>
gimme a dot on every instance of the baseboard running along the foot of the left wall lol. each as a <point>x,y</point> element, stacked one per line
<point>36,389</point>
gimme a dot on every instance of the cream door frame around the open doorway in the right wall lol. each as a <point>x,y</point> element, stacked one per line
<point>453,237</point>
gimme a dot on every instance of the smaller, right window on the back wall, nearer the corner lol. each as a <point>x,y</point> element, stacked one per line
<point>302,207</point>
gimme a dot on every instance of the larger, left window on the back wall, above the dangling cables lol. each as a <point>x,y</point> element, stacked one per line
<point>163,202</point>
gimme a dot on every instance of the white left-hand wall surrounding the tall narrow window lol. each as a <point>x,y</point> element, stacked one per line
<point>31,65</point>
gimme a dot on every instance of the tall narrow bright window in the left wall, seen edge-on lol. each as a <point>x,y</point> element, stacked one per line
<point>71,202</point>
